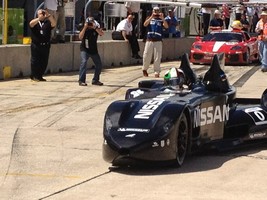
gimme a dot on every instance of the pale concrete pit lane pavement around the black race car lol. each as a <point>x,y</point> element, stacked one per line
<point>51,138</point>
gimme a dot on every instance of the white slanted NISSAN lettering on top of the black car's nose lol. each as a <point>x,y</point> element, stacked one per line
<point>147,110</point>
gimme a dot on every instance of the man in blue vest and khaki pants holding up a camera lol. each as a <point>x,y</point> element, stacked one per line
<point>154,24</point>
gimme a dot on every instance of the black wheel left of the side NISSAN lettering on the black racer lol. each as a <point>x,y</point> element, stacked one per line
<point>182,139</point>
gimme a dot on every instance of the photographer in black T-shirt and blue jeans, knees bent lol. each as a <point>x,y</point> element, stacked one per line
<point>89,35</point>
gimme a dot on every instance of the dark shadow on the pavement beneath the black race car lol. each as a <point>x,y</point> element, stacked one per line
<point>202,161</point>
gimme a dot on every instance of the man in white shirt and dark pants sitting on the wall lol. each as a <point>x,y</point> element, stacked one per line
<point>126,27</point>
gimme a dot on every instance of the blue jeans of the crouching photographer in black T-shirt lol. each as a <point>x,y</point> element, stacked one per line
<point>83,67</point>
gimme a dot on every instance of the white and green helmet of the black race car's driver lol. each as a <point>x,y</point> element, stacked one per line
<point>174,77</point>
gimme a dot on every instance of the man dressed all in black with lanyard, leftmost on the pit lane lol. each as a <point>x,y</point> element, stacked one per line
<point>40,47</point>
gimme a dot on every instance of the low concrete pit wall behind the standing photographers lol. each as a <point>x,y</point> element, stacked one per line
<point>66,57</point>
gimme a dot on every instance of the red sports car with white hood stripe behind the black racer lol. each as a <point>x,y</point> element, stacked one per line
<point>237,46</point>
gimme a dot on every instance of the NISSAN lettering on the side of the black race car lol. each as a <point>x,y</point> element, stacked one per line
<point>210,115</point>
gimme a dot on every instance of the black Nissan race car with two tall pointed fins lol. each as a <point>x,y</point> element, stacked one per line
<point>157,122</point>
